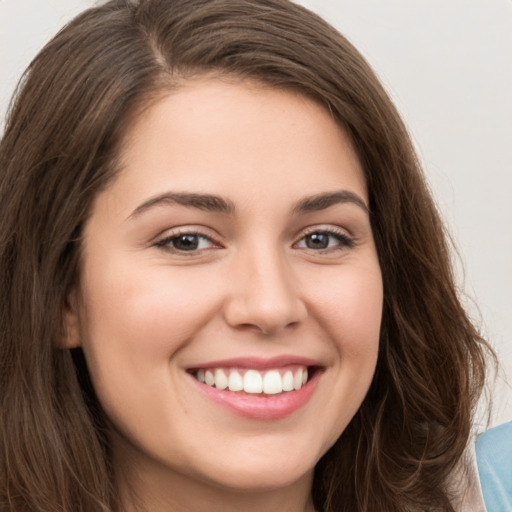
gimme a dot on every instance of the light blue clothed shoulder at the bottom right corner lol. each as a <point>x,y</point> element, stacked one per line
<point>494,458</point>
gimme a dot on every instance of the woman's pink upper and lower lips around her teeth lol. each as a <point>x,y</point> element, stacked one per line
<point>260,407</point>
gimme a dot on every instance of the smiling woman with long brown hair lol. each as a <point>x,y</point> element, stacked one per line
<point>225,284</point>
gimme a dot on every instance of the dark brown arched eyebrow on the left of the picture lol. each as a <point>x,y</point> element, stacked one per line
<point>205,202</point>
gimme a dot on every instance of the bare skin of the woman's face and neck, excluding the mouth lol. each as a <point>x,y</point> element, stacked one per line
<point>146,312</point>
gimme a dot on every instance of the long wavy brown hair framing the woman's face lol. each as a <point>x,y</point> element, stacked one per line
<point>59,150</point>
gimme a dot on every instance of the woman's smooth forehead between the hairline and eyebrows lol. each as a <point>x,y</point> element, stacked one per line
<point>241,137</point>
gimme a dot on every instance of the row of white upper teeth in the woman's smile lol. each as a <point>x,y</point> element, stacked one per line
<point>269,382</point>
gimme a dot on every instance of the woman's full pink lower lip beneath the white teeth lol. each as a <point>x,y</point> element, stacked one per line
<point>258,407</point>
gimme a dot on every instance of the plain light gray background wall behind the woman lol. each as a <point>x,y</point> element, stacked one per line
<point>448,66</point>
